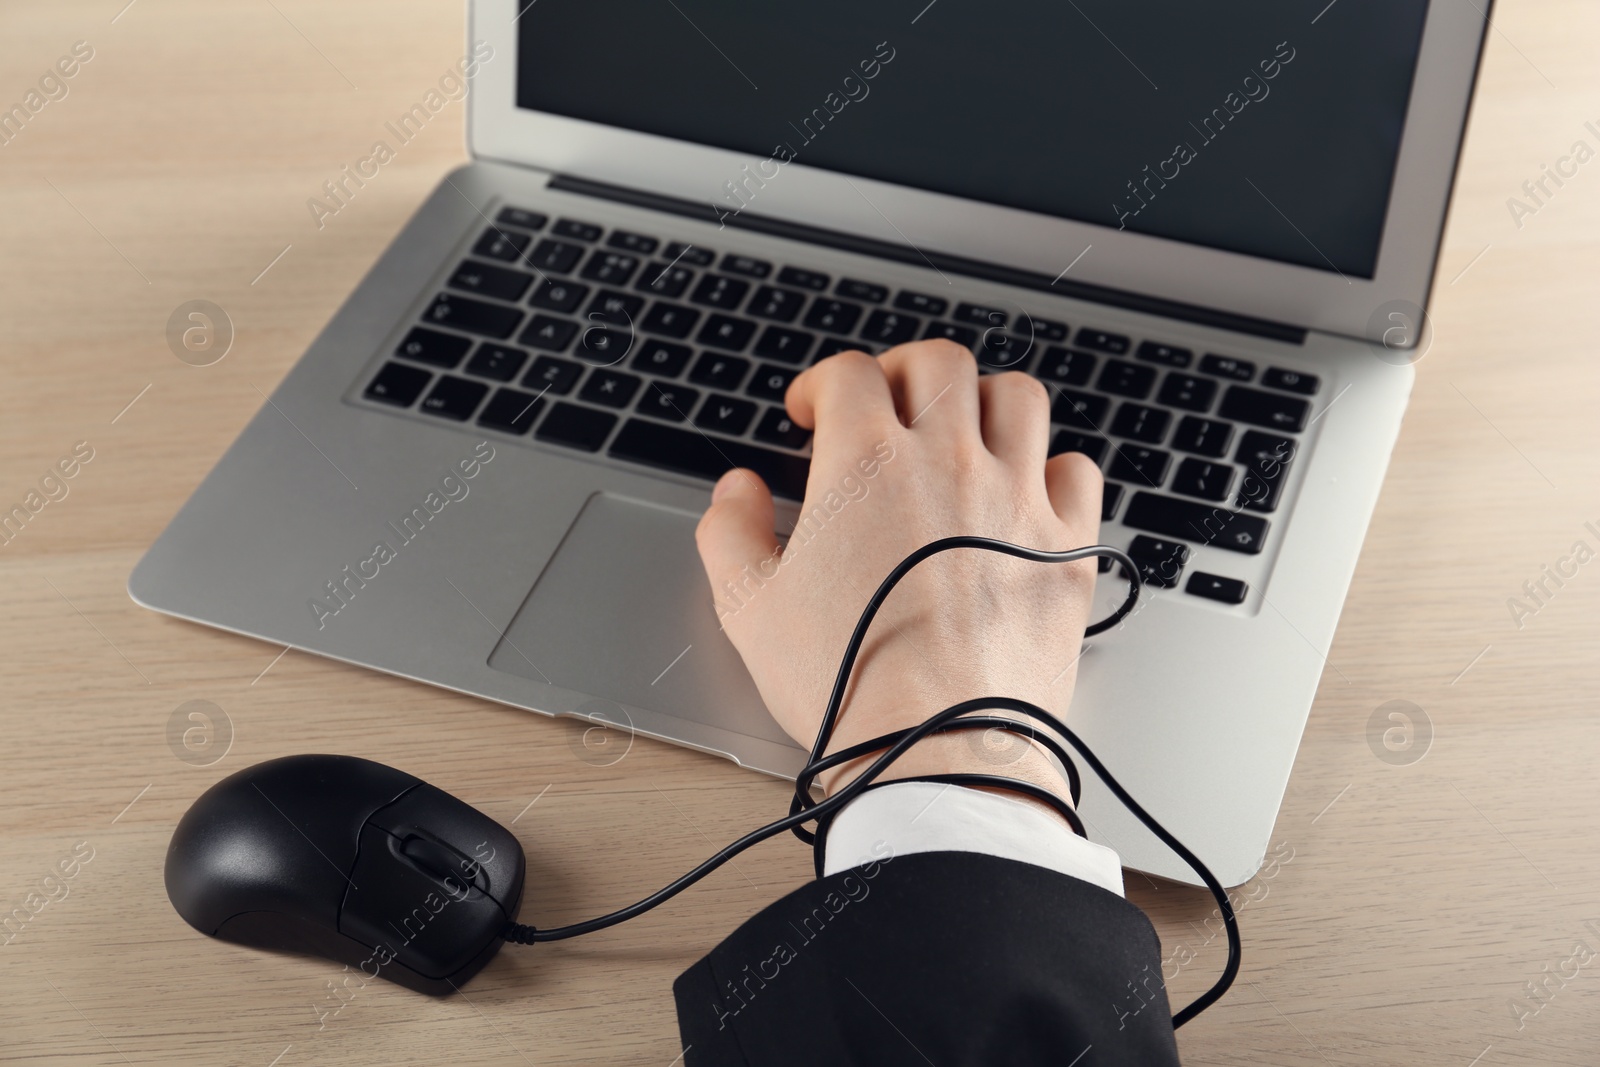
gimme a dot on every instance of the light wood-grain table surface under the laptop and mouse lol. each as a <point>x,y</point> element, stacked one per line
<point>1410,908</point>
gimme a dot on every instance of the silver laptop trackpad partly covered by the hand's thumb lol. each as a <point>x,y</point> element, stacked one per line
<point>625,613</point>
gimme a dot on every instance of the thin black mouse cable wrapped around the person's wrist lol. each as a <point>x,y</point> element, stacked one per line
<point>895,745</point>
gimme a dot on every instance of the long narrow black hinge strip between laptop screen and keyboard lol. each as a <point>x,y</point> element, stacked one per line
<point>942,262</point>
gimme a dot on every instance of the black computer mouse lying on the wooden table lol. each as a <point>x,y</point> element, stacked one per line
<point>353,861</point>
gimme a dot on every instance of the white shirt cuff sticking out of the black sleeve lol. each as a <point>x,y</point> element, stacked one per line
<point>937,818</point>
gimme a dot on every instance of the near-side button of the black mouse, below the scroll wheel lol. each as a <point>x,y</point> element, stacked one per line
<point>410,917</point>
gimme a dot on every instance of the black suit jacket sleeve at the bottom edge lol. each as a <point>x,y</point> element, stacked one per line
<point>951,959</point>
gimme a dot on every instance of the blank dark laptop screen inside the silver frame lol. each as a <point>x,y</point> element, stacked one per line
<point>1260,127</point>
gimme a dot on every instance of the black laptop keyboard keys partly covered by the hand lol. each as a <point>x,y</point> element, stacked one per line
<point>678,358</point>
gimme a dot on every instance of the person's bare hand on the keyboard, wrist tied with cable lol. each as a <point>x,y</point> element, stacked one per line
<point>911,447</point>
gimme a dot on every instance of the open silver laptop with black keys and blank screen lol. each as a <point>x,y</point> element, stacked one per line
<point>1209,231</point>
